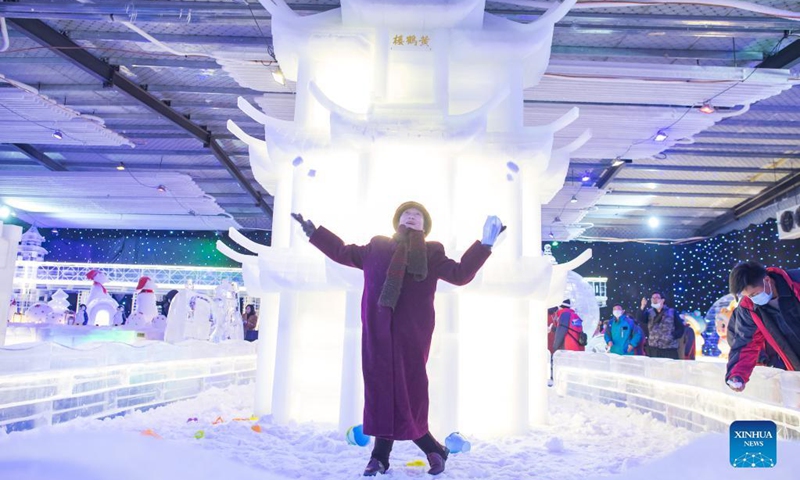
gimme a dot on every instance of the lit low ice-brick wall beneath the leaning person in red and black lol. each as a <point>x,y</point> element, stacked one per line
<point>689,394</point>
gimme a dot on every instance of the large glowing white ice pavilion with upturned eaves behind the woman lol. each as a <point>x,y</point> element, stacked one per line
<point>396,101</point>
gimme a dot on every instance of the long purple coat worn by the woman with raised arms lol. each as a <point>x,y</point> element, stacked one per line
<point>395,345</point>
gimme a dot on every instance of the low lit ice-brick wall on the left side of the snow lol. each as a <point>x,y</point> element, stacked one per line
<point>47,383</point>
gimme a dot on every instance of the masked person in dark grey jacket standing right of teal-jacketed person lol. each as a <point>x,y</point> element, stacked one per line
<point>660,328</point>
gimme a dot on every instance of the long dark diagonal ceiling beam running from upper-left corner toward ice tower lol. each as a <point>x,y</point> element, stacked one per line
<point>63,46</point>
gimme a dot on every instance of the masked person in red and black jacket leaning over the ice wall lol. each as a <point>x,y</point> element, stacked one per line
<point>766,321</point>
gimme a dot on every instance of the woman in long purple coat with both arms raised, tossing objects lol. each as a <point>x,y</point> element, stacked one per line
<point>397,317</point>
